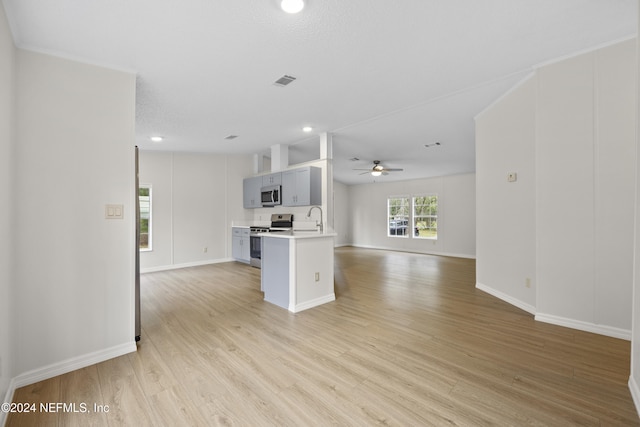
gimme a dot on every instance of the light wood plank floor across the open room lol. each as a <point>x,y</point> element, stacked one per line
<point>408,342</point>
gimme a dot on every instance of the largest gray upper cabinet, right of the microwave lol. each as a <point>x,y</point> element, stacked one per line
<point>302,186</point>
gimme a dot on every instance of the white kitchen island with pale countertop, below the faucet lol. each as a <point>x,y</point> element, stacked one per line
<point>297,269</point>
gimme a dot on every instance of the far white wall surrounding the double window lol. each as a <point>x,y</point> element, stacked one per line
<point>456,215</point>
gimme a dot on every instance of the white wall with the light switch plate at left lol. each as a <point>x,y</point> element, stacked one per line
<point>74,270</point>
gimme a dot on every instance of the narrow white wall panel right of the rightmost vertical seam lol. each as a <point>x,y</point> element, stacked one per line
<point>615,134</point>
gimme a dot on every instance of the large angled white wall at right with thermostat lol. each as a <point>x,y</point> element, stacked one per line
<point>580,191</point>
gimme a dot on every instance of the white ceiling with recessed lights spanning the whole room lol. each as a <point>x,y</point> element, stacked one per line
<point>383,77</point>
